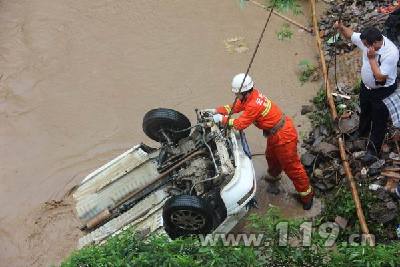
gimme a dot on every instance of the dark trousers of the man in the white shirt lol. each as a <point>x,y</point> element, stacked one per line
<point>374,110</point>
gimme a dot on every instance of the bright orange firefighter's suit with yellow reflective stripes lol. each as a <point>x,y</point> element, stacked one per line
<point>281,151</point>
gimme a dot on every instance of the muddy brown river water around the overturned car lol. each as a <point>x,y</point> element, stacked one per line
<point>77,76</point>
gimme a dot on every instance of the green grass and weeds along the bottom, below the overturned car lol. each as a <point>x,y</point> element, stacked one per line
<point>128,249</point>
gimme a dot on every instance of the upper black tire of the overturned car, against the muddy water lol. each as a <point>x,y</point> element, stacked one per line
<point>171,121</point>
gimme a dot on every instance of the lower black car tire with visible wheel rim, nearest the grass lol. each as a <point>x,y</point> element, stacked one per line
<point>185,215</point>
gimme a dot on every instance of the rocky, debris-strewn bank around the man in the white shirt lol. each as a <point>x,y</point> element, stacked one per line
<point>376,182</point>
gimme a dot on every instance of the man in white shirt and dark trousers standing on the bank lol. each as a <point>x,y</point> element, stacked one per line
<point>378,81</point>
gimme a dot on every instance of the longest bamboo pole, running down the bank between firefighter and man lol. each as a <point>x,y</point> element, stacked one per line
<point>342,149</point>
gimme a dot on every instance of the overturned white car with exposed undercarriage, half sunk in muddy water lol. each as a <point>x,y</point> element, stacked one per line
<point>200,180</point>
